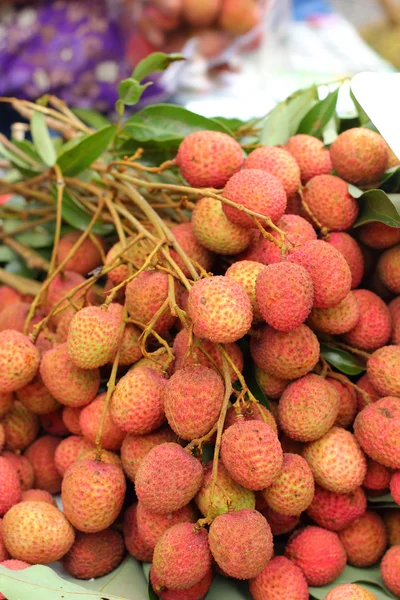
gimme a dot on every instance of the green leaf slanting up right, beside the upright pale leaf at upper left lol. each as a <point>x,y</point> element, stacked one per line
<point>75,160</point>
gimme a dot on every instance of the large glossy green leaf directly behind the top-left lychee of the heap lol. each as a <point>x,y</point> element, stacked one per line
<point>168,123</point>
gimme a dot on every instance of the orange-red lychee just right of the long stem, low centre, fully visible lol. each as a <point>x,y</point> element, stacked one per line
<point>252,454</point>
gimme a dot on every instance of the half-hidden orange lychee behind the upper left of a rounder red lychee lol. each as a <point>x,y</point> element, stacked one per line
<point>135,447</point>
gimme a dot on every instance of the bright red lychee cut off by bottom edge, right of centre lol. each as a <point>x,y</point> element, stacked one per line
<point>279,578</point>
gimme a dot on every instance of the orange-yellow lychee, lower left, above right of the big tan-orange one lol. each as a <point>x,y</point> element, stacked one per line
<point>92,494</point>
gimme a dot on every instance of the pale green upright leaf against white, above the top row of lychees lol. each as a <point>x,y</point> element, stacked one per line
<point>283,121</point>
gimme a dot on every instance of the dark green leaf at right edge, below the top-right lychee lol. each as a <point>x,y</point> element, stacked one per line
<point>376,205</point>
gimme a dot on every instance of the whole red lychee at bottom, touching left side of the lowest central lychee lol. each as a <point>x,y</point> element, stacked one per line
<point>181,556</point>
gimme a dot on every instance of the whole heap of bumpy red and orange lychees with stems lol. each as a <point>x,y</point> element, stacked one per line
<point>116,402</point>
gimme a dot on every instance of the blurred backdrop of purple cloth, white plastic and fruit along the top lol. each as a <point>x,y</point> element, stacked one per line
<point>242,55</point>
